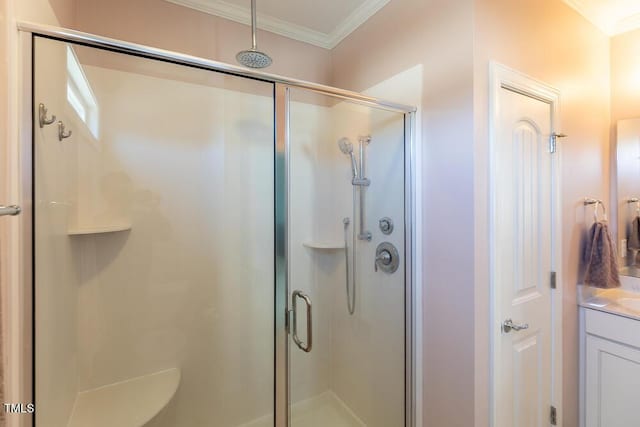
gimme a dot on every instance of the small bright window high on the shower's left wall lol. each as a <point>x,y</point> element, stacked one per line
<point>79,93</point>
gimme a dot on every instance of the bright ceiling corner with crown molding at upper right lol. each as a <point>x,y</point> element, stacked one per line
<point>611,16</point>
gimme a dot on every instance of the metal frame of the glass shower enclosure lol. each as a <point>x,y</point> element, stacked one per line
<point>24,385</point>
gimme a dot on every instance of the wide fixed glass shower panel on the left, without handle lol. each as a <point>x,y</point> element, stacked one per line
<point>154,237</point>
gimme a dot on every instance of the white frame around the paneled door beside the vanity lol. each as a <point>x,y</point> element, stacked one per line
<point>503,77</point>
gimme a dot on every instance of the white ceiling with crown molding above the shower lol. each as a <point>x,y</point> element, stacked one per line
<point>321,23</point>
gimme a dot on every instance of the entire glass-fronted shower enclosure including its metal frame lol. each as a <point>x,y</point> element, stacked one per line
<point>195,252</point>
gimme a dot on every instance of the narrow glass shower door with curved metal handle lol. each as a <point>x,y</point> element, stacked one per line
<point>346,266</point>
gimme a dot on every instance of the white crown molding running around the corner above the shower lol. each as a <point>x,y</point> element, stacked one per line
<point>288,29</point>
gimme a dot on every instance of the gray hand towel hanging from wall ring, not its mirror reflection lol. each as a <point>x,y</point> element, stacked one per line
<point>600,258</point>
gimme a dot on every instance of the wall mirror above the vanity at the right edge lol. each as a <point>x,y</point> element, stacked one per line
<point>628,174</point>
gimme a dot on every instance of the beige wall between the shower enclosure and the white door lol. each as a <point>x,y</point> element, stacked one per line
<point>439,35</point>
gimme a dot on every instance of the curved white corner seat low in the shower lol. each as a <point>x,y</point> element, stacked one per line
<point>130,403</point>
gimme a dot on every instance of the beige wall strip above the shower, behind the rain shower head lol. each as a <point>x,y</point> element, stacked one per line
<point>162,24</point>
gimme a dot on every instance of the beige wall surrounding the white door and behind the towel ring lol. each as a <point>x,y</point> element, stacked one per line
<point>554,44</point>
